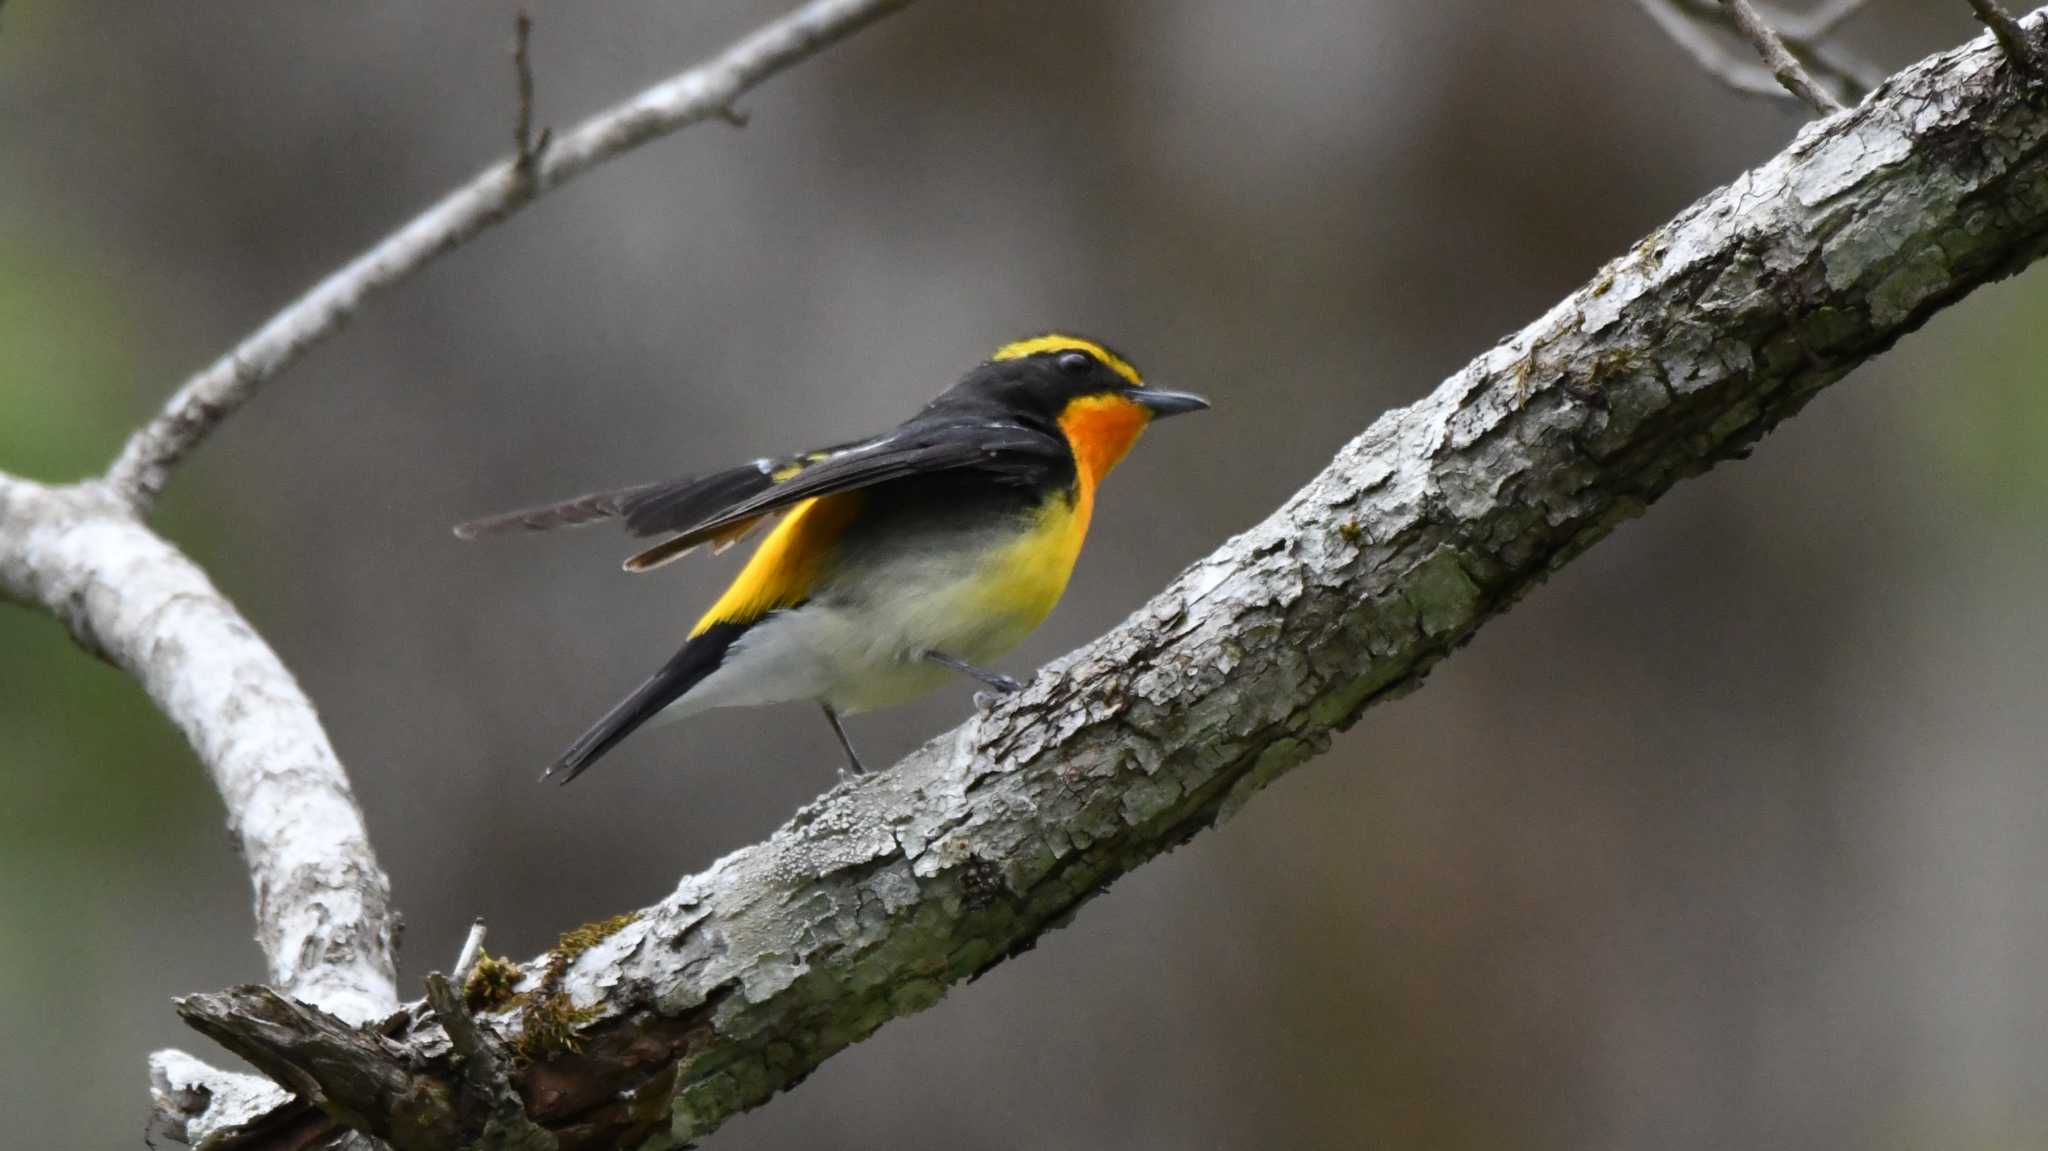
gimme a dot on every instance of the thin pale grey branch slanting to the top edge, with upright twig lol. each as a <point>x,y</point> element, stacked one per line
<point>701,93</point>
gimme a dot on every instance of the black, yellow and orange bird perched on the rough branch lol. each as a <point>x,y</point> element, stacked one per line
<point>900,560</point>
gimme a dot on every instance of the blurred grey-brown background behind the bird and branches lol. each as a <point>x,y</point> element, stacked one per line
<point>1732,837</point>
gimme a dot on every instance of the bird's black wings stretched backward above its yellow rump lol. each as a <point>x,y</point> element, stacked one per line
<point>724,507</point>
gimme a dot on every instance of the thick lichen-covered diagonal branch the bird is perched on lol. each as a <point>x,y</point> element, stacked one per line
<point>654,1029</point>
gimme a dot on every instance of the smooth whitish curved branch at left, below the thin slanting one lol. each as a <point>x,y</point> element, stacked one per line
<point>323,904</point>
